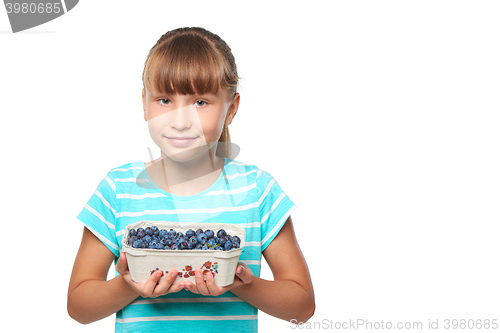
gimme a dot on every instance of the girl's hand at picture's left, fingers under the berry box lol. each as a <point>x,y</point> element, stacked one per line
<point>150,288</point>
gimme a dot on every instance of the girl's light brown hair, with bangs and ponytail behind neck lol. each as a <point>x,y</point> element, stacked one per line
<point>192,61</point>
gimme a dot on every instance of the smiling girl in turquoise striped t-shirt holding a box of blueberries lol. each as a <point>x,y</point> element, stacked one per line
<point>189,99</point>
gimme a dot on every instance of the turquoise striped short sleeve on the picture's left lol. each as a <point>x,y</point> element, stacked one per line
<point>99,212</point>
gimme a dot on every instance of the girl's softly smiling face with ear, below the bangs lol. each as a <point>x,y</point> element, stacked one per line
<point>199,119</point>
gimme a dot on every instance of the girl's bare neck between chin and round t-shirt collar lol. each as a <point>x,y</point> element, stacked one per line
<point>186,178</point>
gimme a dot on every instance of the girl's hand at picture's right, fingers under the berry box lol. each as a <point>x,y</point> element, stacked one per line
<point>244,275</point>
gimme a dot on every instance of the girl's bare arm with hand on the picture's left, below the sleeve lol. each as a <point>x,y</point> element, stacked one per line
<point>91,297</point>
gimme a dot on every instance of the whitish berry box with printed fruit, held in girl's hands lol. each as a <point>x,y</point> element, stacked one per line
<point>222,264</point>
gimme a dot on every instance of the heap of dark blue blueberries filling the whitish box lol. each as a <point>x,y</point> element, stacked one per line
<point>154,238</point>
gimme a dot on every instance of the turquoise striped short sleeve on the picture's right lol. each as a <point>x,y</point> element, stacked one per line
<point>274,205</point>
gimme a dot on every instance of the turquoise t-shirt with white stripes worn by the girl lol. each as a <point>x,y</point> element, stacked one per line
<point>243,194</point>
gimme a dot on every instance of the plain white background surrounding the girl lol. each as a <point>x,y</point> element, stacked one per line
<point>379,119</point>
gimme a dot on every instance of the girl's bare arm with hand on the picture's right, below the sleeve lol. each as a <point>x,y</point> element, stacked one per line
<point>289,296</point>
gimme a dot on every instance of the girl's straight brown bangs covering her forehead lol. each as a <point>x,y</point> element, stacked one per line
<point>187,64</point>
